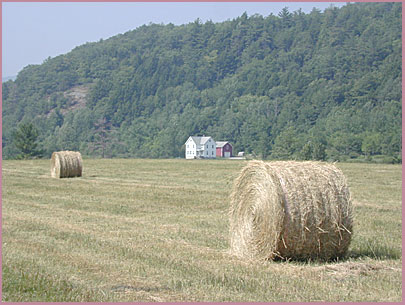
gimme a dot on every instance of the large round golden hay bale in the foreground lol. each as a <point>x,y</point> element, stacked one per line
<point>288,209</point>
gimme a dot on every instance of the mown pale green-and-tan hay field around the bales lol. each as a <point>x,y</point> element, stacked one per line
<point>157,230</point>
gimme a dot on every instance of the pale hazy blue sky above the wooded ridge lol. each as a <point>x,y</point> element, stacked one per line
<point>34,31</point>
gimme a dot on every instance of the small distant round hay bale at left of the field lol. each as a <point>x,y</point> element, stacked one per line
<point>66,164</point>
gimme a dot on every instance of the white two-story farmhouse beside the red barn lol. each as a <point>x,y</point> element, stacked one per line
<point>200,147</point>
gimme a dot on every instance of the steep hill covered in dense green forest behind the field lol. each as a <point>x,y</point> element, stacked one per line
<point>304,86</point>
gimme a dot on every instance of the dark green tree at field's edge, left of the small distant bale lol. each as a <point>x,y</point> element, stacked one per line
<point>25,140</point>
